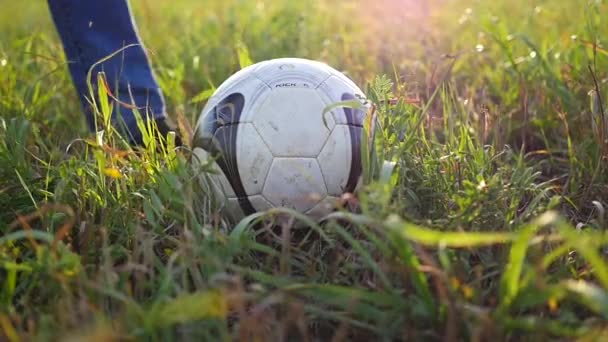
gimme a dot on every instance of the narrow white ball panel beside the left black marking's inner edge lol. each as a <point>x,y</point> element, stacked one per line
<point>253,158</point>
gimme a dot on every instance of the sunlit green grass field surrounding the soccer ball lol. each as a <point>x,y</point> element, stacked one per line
<point>491,225</point>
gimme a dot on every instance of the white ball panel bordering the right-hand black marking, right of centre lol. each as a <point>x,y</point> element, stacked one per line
<point>335,160</point>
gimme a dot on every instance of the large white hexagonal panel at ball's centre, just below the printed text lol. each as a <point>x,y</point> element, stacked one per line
<point>291,122</point>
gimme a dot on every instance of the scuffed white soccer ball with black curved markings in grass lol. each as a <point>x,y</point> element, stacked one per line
<point>274,142</point>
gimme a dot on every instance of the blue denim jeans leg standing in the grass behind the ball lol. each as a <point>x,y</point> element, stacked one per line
<point>92,30</point>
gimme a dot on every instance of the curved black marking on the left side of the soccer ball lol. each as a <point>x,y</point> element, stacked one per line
<point>218,136</point>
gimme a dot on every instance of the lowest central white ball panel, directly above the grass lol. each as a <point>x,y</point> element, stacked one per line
<point>295,182</point>
